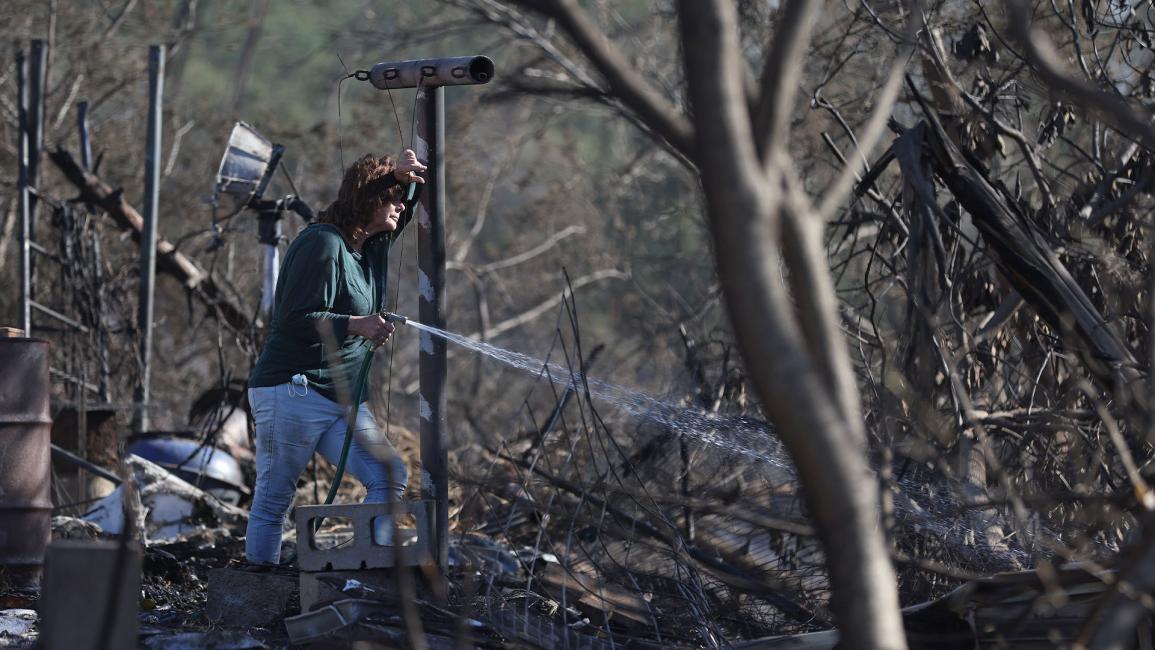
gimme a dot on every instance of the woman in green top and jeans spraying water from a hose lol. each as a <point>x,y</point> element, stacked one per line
<point>325,320</point>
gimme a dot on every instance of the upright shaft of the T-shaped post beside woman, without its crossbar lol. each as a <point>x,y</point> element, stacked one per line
<point>430,147</point>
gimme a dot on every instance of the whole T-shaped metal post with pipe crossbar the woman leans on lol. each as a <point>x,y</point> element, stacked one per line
<point>430,77</point>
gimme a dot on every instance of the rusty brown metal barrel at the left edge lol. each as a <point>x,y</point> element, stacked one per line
<point>26,455</point>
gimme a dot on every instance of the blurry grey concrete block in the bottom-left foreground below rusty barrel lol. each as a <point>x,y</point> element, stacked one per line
<point>78,579</point>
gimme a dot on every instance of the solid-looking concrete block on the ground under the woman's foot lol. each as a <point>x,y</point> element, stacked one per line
<point>240,599</point>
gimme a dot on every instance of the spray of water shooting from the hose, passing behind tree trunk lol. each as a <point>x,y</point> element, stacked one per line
<point>744,437</point>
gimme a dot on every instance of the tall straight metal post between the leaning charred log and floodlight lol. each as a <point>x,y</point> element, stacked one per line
<point>148,236</point>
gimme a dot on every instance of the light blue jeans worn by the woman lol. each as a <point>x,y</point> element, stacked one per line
<point>293,423</point>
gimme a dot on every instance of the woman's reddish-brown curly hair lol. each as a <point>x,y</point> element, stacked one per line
<point>368,185</point>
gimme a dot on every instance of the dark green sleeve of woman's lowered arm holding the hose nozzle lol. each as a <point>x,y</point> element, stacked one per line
<point>310,287</point>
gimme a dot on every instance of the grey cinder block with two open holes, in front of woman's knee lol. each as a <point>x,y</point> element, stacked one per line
<point>362,552</point>
